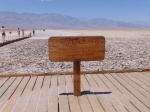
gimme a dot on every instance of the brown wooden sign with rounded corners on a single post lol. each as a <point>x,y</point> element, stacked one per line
<point>76,49</point>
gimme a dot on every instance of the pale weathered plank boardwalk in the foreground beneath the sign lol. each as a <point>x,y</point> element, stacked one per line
<point>110,92</point>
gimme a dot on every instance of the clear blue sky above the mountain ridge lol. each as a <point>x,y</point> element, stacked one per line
<point>126,10</point>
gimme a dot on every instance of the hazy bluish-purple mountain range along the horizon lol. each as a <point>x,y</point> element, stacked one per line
<point>12,20</point>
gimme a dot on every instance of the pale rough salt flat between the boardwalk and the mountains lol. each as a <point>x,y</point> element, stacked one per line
<point>125,49</point>
